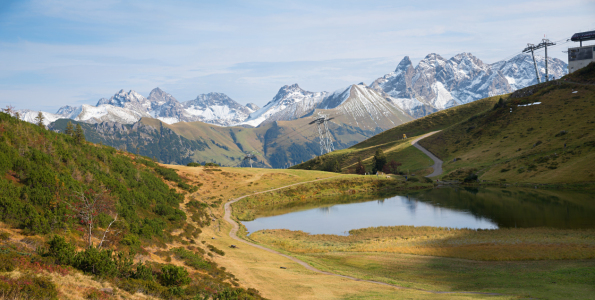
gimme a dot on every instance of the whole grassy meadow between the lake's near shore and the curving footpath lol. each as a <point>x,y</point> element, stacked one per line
<point>528,263</point>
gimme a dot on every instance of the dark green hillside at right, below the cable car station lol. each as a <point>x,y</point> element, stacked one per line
<point>550,142</point>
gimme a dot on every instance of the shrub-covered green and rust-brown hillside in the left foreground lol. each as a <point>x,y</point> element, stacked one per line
<point>67,206</point>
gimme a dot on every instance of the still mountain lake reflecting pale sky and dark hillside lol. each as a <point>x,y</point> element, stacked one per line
<point>485,208</point>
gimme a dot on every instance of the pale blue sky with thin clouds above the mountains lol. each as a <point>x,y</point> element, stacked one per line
<point>56,53</point>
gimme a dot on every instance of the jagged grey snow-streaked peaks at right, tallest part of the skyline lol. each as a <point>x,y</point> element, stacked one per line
<point>436,83</point>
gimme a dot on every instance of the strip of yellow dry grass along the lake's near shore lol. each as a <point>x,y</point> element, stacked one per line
<point>500,244</point>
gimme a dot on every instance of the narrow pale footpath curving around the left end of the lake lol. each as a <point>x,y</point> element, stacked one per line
<point>235,227</point>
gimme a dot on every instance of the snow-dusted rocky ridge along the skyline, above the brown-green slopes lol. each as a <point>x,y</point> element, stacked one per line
<point>434,84</point>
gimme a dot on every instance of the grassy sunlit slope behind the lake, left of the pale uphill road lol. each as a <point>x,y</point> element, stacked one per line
<point>394,146</point>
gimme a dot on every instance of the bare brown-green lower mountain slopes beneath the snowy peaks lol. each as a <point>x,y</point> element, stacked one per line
<point>275,144</point>
